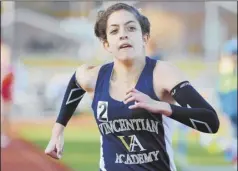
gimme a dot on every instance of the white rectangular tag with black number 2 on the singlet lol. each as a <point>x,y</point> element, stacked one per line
<point>102,111</point>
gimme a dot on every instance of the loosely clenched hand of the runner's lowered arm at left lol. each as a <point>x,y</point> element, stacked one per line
<point>55,147</point>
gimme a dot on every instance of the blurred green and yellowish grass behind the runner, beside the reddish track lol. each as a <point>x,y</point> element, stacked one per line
<point>82,147</point>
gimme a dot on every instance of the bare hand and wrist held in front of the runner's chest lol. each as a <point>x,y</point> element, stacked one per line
<point>144,101</point>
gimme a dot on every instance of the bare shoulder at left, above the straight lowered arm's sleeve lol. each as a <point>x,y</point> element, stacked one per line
<point>86,76</point>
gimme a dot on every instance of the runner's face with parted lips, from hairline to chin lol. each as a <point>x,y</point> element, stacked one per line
<point>124,36</point>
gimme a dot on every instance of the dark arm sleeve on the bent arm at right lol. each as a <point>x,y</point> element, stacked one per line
<point>194,112</point>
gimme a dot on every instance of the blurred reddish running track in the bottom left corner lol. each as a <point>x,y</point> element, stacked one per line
<point>21,155</point>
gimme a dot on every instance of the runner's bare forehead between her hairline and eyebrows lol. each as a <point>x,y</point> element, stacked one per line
<point>121,17</point>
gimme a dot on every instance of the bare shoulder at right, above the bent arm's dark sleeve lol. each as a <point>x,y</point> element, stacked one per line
<point>169,75</point>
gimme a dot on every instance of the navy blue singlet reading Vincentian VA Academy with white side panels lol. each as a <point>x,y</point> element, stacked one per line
<point>131,140</point>
